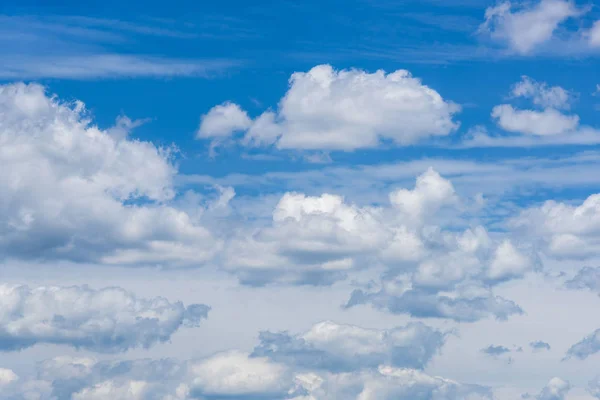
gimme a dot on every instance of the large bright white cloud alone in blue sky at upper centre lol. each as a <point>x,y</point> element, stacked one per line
<point>327,109</point>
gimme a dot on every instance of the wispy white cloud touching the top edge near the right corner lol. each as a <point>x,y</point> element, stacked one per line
<point>529,26</point>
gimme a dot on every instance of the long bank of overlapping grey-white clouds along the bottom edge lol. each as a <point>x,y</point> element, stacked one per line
<point>273,375</point>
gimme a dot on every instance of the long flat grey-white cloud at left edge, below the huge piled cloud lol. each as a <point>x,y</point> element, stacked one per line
<point>107,320</point>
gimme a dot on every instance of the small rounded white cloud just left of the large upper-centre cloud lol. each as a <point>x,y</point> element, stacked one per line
<point>223,120</point>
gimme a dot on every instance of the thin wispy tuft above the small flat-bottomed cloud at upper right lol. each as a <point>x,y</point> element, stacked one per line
<point>541,94</point>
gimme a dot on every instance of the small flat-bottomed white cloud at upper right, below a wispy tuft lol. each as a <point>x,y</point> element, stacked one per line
<point>532,122</point>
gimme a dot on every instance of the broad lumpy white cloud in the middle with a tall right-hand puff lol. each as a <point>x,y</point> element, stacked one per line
<point>318,240</point>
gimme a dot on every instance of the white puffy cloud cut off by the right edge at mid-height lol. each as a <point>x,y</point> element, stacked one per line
<point>565,230</point>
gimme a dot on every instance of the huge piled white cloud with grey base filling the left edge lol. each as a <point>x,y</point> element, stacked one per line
<point>69,190</point>
